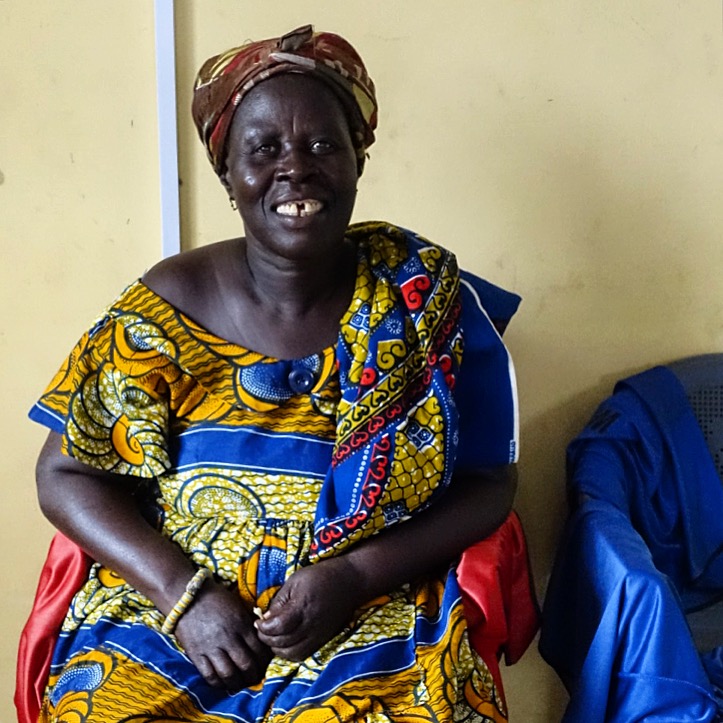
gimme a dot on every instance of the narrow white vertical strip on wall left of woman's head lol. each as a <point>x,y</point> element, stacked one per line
<point>167,132</point>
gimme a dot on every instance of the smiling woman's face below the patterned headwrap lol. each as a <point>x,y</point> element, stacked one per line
<point>291,167</point>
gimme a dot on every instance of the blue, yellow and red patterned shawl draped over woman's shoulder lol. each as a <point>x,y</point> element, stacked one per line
<point>399,349</point>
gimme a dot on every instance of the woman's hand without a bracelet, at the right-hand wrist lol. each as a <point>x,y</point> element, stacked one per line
<point>313,605</point>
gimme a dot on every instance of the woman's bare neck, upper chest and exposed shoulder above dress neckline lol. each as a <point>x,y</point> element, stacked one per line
<point>280,310</point>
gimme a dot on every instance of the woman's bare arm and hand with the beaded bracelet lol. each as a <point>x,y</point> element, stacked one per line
<point>97,511</point>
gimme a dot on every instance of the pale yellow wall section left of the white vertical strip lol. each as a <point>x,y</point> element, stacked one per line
<point>79,219</point>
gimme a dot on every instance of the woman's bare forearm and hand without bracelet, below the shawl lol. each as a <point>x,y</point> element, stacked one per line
<point>318,601</point>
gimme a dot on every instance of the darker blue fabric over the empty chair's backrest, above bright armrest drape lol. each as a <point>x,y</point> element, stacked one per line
<point>664,476</point>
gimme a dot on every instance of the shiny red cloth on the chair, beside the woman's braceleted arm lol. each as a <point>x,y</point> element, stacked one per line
<point>64,572</point>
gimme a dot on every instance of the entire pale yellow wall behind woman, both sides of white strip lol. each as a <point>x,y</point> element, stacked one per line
<point>571,151</point>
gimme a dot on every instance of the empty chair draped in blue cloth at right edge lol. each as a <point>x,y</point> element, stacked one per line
<point>638,578</point>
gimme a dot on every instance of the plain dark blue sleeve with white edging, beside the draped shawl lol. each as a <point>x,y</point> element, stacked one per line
<point>486,389</point>
